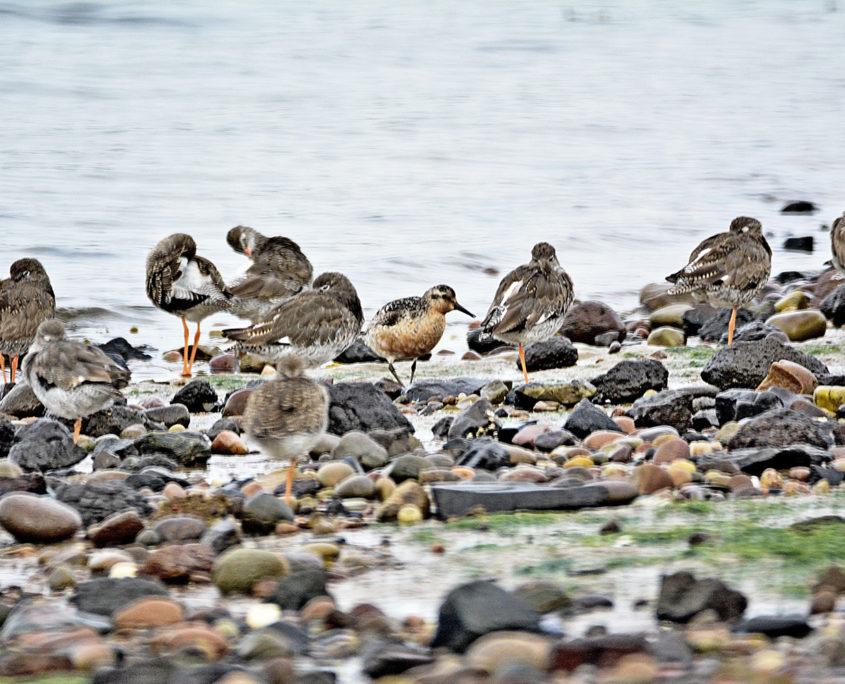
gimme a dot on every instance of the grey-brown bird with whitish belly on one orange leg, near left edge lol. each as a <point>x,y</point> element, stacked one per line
<point>71,379</point>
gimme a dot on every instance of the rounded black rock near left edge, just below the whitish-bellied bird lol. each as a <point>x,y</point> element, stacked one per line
<point>45,445</point>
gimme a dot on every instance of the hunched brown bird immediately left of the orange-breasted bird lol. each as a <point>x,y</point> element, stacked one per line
<point>315,325</point>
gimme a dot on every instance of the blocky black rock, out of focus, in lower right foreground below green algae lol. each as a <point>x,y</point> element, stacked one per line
<point>682,597</point>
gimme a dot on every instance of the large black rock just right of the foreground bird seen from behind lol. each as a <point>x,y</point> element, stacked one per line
<point>362,406</point>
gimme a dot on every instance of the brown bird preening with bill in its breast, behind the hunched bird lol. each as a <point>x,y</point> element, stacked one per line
<point>279,271</point>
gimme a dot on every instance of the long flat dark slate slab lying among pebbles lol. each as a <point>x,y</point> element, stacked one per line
<point>456,499</point>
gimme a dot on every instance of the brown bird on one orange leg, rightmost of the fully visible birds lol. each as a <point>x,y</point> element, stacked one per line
<point>727,269</point>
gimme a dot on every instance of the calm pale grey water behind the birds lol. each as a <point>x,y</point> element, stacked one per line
<point>410,143</point>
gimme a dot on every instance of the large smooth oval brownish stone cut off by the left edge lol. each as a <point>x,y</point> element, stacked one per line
<point>36,518</point>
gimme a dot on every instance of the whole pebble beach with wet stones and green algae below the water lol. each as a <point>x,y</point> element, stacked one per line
<point>638,512</point>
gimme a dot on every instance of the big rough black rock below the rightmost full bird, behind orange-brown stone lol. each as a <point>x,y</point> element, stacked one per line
<point>746,364</point>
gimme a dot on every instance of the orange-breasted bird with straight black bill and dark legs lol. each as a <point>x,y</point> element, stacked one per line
<point>405,329</point>
